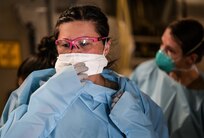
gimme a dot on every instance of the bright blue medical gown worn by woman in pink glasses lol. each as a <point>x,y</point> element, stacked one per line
<point>61,107</point>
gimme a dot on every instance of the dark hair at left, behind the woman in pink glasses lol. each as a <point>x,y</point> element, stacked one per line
<point>45,57</point>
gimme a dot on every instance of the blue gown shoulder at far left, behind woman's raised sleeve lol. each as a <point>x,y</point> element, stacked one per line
<point>22,94</point>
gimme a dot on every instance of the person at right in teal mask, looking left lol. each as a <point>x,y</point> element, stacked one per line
<point>173,81</point>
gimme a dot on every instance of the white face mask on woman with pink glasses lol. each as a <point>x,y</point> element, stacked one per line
<point>94,62</point>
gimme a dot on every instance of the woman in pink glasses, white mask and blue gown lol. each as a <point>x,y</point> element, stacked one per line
<point>76,101</point>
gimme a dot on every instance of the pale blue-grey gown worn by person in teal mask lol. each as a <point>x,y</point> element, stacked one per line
<point>183,108</point>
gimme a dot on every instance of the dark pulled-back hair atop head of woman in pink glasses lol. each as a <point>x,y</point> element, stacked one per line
<point>84,13</point>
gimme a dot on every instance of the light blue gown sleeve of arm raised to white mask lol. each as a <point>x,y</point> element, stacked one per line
<point>47,105</point>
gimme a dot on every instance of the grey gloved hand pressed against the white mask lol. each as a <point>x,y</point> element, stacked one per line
<point>80,69</point>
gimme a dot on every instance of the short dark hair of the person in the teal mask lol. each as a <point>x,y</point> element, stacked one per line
<point>189,34</point>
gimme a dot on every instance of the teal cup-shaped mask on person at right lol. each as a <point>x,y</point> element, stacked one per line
<point>164,62</point>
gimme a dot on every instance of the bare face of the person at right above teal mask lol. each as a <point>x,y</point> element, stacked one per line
<point>173,49</point>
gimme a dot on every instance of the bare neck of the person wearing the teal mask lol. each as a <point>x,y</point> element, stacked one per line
<point>185,77</point>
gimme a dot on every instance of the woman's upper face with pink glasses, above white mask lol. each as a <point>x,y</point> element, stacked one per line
<point>80,31</point>
